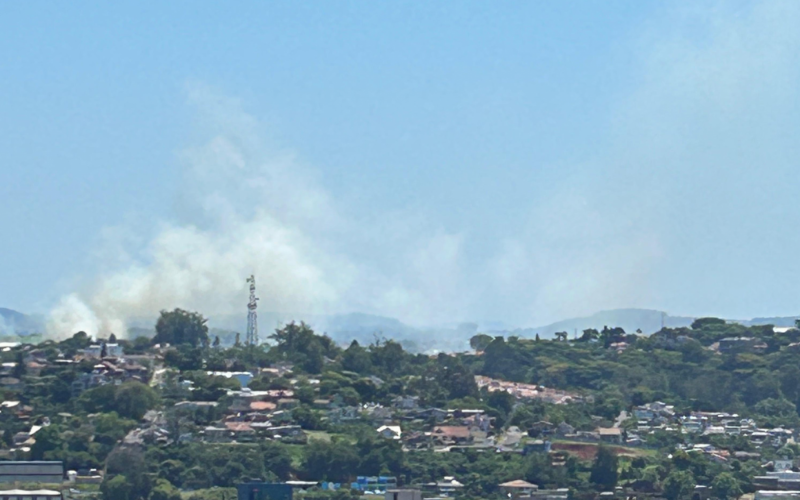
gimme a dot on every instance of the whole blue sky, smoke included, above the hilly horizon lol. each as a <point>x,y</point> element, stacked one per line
<point>521,162</point>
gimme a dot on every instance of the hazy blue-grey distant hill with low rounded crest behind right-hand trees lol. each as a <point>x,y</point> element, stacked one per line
<point>646,320</point>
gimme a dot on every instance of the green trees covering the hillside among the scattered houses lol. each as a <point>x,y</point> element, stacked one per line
<point>150,447</point>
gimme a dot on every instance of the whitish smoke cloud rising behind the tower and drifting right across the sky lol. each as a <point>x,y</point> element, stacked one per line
<point>696,151</point>
